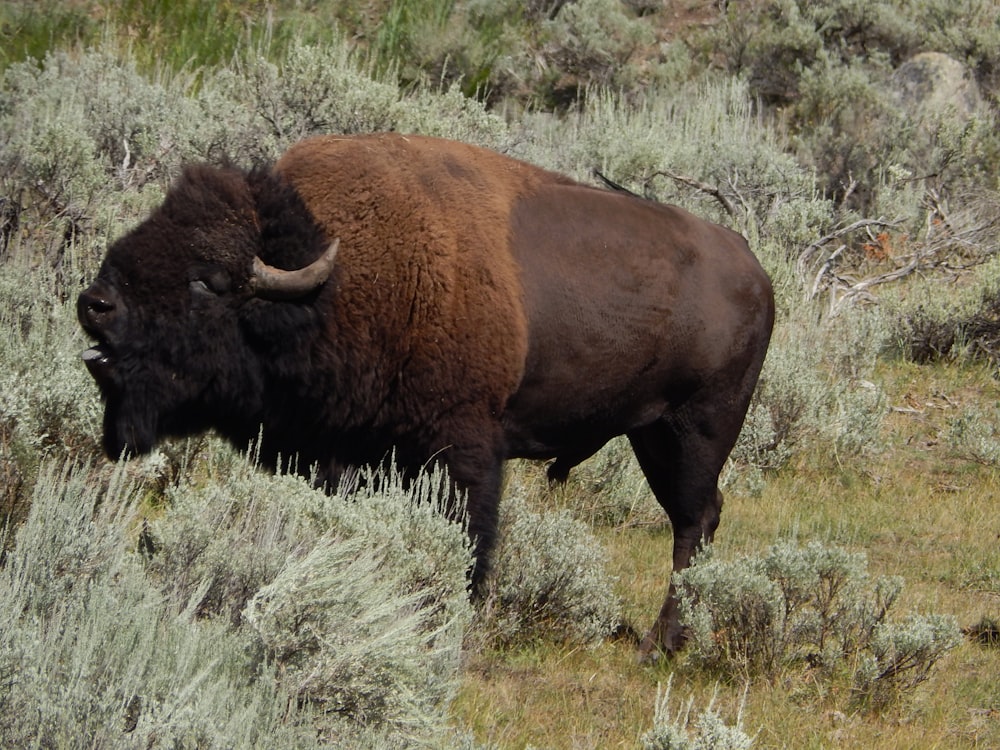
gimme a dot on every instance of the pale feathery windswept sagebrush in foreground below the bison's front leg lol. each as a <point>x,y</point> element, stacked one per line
<point>348,642</point>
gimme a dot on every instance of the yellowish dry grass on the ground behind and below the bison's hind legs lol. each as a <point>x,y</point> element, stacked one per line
<point>919,510</point>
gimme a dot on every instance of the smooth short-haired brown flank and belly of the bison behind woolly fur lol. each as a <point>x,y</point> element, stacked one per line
<point>627,313</point>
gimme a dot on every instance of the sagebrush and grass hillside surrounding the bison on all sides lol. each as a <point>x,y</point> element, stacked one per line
<point>191,599</point>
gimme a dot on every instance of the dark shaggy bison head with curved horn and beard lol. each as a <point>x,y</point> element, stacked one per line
<point>187,307</point>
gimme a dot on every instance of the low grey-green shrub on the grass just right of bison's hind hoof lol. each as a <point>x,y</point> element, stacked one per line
<point>806,607</point>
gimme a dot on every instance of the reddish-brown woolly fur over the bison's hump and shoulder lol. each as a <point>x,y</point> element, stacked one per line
<point>418,220</point>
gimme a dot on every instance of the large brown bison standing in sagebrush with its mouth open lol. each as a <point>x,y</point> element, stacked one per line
<point>405,296</point>
